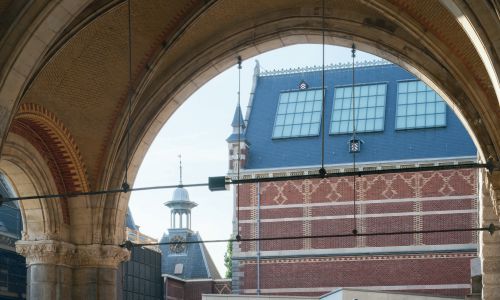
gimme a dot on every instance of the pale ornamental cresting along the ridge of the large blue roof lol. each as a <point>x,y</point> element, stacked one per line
<point>337,66</point>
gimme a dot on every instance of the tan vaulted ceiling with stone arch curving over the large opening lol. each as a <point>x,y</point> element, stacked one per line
<point>179,45</point>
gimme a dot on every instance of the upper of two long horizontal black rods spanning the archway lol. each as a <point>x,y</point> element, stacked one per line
<point>489,165</point>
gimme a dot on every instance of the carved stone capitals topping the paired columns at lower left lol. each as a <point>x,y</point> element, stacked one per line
<point>67,254</point>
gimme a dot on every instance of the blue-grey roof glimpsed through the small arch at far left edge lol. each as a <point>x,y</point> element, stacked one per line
<point>10,216</point>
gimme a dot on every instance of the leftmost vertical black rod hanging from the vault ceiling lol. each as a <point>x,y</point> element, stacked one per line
<point>125,184</point>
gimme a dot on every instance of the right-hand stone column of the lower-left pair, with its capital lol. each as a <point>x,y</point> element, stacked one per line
<point>95,272</point>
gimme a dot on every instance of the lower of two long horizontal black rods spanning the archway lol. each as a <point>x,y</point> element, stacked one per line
<point>491,229</point>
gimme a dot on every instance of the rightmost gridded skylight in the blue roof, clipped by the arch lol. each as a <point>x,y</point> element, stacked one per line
<point>419,106</point>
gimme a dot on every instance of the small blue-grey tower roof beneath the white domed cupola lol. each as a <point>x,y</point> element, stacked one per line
<point>196,261</point>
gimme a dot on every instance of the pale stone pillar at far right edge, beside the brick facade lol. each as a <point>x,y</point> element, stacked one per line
<point>490,244</point>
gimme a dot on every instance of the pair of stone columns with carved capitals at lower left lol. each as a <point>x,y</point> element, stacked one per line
<point>60,271</point>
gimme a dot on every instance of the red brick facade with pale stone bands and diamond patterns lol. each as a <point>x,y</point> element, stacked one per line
<point>435,263</point>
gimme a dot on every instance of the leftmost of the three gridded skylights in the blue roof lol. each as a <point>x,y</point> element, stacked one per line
<point>298,114</point>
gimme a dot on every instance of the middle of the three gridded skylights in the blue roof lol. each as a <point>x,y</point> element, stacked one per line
<point>369,104</point>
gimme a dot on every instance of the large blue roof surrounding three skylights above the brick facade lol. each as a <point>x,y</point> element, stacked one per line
<point>388,145</point>
